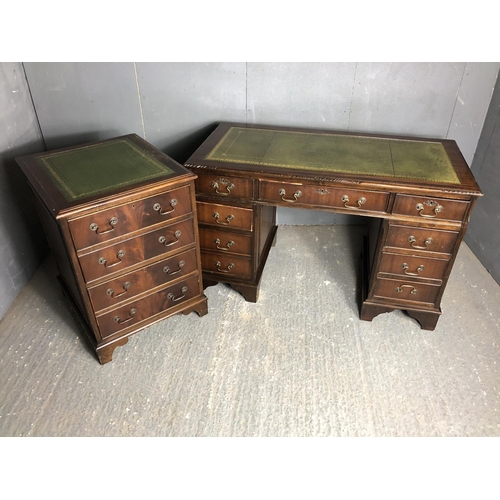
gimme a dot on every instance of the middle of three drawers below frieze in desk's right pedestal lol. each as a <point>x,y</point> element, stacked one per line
<point>407,265</point>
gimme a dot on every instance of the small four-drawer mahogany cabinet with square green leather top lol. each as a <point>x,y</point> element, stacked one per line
<point>121,221</point>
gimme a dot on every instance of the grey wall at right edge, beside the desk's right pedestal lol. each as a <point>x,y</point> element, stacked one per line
<point>483,236</point>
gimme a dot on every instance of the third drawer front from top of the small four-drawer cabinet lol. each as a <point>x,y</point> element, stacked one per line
<point>113,292</point>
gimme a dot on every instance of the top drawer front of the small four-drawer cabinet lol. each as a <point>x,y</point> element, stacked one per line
<point>111,223</point>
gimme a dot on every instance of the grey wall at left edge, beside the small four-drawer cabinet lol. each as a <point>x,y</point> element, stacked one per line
<point>22,244</point>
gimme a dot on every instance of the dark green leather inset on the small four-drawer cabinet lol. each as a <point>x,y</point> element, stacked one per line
<point>95,169</point>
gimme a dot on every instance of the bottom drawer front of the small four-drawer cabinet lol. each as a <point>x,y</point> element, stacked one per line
<point>134,312</point>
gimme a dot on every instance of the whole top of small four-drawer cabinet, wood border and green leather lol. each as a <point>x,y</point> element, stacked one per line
<point>69,177</point>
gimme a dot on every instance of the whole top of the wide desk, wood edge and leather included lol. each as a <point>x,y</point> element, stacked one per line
<point>336,155</point>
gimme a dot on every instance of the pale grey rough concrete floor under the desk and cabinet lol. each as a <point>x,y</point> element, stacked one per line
<point>299,362</point>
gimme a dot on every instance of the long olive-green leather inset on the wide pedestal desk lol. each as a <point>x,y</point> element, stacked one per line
<point>422,160</point>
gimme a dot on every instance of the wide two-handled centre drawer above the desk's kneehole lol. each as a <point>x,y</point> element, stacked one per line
<point>318,196</point>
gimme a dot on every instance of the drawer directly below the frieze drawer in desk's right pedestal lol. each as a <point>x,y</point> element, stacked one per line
<point>422,239</point>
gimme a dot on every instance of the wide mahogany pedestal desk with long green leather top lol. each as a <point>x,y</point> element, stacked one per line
<point>417,192</point>
